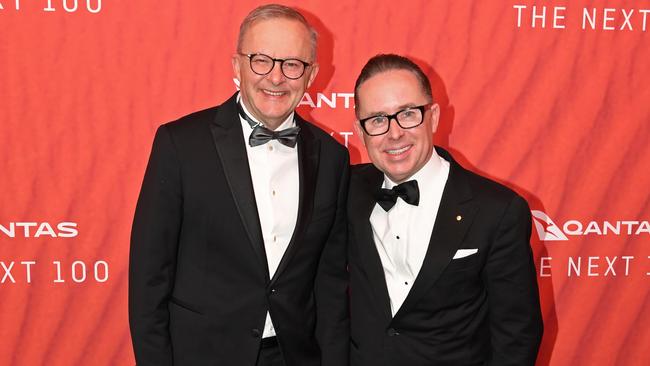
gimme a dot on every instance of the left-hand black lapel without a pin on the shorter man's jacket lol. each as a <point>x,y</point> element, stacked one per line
<point>362,202</point>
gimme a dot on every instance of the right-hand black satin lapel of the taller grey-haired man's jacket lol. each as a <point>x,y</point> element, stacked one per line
<point>308,157</point>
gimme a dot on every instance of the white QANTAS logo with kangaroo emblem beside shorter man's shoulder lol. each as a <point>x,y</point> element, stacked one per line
<point>548,230</point>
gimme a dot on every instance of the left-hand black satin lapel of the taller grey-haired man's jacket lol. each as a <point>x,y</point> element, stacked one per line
<point>227,133</point>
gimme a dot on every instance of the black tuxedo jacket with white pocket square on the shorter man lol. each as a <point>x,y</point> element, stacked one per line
<point>479,310</point>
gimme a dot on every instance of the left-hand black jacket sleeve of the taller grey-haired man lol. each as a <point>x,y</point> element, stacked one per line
<point>152,260</point>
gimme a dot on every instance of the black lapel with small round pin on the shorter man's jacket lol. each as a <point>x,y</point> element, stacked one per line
<point>455,216</point>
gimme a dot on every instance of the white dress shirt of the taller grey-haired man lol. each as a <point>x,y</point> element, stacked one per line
<point>274,171</point>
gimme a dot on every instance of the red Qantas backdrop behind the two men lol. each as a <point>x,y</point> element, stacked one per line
<point>551,100</point>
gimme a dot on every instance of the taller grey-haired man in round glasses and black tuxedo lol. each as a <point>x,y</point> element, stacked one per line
<point>238,247</point>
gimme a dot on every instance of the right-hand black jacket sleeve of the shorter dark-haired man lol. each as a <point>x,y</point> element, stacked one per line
<point>513,298</point>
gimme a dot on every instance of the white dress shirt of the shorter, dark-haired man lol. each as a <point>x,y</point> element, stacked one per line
<point>402,234</point>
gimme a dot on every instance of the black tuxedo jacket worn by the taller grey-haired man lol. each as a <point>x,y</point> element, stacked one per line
<point>199,285</point>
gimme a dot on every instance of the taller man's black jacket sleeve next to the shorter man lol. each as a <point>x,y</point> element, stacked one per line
<point>331,285</point>
